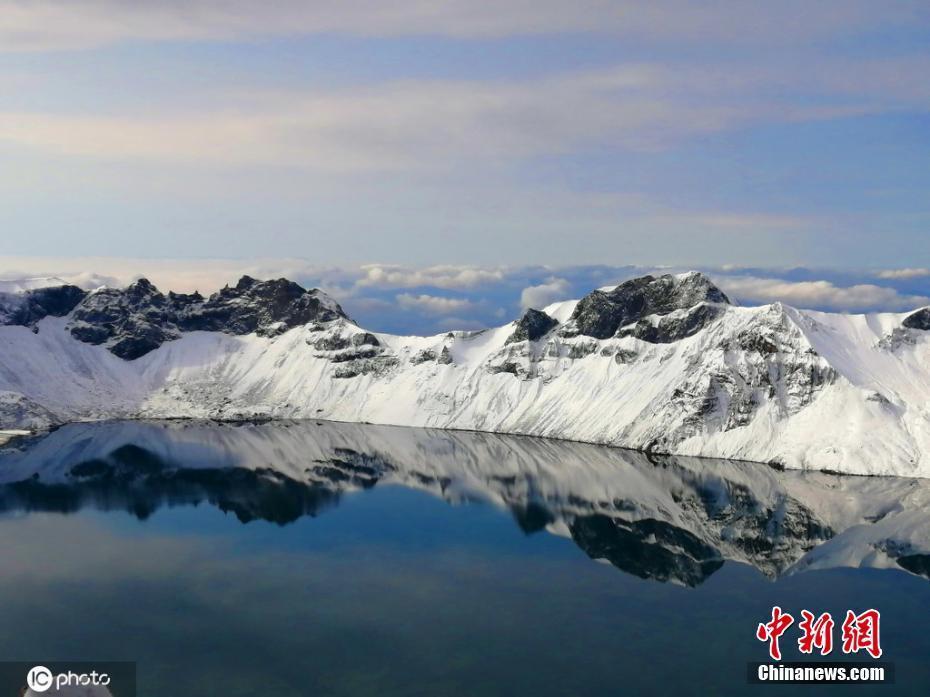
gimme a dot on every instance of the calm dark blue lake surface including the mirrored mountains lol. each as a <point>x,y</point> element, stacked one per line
<point>335,559</point>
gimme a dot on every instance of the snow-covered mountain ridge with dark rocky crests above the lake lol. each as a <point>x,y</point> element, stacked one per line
<point>661,364</point>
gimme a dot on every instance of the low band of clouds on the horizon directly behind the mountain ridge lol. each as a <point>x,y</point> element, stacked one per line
<point>432,299</point>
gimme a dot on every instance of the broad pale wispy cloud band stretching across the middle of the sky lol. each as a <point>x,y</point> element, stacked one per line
<point>442,124</point>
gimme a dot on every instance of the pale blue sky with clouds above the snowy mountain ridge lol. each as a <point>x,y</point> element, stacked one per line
<point>198,138</point>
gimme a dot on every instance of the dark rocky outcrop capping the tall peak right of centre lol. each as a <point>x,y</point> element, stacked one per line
<point>601,313</point>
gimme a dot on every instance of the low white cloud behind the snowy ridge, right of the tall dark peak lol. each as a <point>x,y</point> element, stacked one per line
<point>819,294</point>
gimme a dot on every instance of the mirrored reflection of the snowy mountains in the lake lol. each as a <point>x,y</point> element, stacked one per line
<point>669,519</point>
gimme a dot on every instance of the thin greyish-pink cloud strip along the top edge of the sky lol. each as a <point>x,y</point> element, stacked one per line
<point>50,24</point>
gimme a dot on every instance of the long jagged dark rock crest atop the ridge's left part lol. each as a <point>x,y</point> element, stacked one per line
<point>138,319</point>
